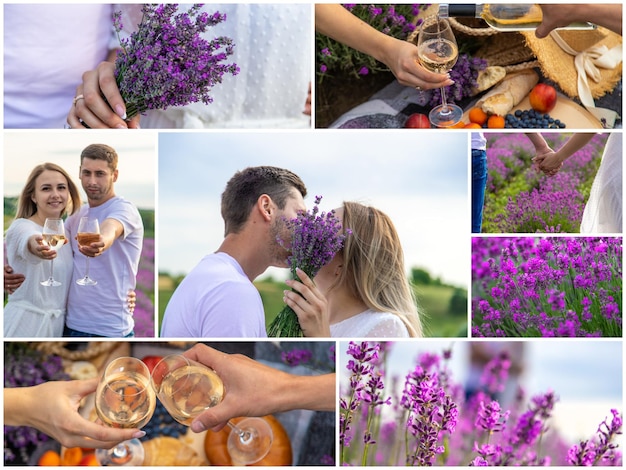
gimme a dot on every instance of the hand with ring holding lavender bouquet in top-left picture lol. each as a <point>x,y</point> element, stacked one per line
<point>98,103</point>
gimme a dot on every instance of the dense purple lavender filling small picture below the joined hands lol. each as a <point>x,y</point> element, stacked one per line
<point>546,287</point>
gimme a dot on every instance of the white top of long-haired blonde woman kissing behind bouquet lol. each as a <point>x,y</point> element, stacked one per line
<point>370,324</point>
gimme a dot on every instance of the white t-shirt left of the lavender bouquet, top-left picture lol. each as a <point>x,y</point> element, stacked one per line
<point>47,47</point>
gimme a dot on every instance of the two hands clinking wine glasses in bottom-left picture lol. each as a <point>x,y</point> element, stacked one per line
<point>202,388</point>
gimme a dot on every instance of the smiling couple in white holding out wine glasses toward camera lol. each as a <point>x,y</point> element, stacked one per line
<point>55,292</point>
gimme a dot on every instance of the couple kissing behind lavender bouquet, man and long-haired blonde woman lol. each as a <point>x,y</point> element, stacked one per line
<point>362,292</point>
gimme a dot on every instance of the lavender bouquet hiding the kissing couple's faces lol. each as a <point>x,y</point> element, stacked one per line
<point>316,237</point>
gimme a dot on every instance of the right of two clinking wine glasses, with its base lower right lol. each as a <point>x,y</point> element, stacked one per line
<point>187,388</point>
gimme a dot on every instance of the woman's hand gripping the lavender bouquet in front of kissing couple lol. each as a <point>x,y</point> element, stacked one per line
<point>310,306</point>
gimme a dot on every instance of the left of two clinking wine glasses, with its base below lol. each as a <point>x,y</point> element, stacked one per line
<point>124,399</point>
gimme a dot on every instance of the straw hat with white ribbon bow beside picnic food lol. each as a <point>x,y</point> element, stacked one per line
<point>556,56</point>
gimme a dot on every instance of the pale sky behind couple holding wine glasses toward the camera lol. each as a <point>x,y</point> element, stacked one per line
<point>23,150</point>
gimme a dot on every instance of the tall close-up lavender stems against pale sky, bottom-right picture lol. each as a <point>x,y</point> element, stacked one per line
<point>424,416</point>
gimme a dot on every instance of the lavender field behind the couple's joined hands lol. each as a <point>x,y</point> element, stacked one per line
<point>521,199</point>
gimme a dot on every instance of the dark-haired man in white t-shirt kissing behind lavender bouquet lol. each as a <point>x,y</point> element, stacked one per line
<point>217,298</point>
